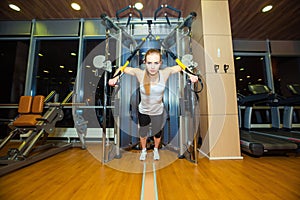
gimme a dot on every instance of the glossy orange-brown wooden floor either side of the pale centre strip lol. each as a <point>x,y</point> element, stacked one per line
<point>77,174</point>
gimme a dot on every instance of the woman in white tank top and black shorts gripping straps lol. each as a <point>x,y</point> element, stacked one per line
<point>151,114</point>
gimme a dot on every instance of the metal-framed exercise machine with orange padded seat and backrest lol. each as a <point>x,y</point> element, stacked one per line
<point>35,126</point>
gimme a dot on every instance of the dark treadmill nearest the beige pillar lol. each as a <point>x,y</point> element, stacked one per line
<point>258,143</point>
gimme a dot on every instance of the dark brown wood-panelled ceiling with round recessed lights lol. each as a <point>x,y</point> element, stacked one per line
<point>247,20</point>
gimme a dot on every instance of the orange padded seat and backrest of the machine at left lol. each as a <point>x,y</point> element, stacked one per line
<point>29,111</point>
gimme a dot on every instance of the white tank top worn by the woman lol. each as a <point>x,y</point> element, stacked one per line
<point>152,104</point>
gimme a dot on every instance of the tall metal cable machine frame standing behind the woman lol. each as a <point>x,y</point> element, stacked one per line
<point>127,41</point>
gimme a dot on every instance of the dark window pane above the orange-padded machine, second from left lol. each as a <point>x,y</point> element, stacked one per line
<point>55,67</point>
